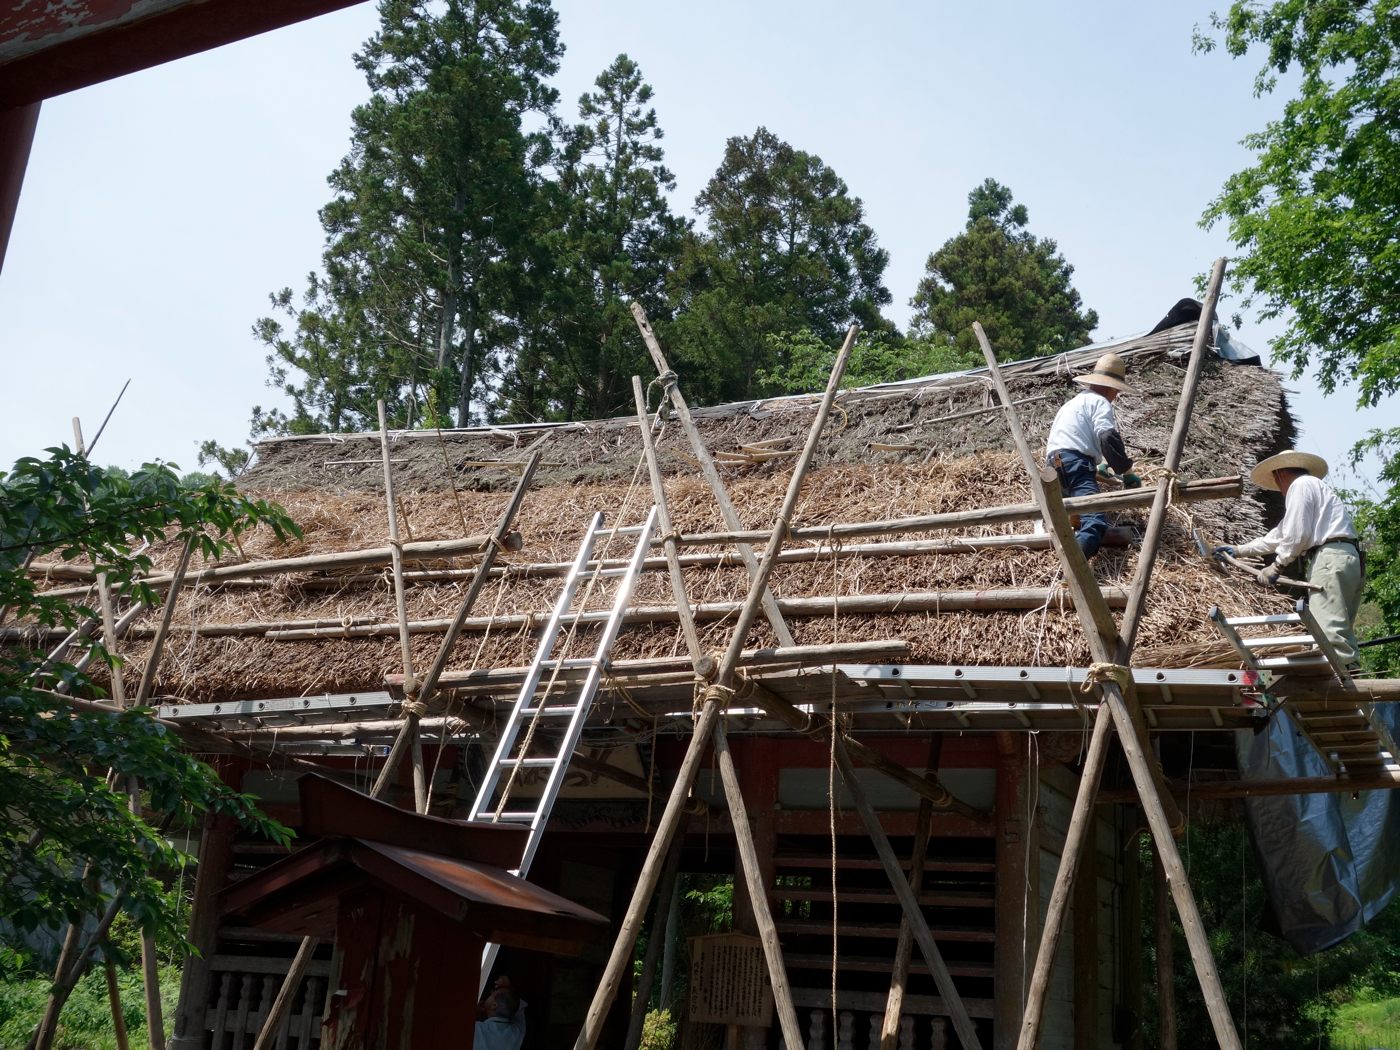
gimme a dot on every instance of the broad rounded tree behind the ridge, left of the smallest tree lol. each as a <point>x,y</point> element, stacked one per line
<point>785,248</point>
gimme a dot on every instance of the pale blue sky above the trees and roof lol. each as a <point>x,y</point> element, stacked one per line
<point>160,209</point>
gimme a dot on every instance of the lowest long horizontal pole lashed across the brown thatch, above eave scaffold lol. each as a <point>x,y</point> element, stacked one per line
<point>1002,600</point>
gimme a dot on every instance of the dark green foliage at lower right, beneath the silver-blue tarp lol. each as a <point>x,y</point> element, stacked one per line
<point>1290,1000</point>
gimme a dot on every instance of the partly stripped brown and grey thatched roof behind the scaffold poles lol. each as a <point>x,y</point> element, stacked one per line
<point>901,450</point>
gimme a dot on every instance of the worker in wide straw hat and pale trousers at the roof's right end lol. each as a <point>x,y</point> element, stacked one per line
<point>1318,526</point>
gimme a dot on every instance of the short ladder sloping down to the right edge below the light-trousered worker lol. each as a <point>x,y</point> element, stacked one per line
<point>1346,733</point>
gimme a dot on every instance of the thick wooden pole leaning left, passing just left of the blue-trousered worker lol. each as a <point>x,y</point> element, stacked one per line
<point>1105,647</point>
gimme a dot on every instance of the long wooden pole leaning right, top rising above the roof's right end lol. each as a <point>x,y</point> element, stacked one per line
<point>1081,817</point>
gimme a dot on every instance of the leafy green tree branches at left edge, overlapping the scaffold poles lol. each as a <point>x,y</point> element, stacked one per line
<point>71,848</point>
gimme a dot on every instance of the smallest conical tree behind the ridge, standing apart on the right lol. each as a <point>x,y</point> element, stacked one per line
<point>999,274</point>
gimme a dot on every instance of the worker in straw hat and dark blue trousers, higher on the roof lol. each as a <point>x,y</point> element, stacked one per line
<point>1086,433</point>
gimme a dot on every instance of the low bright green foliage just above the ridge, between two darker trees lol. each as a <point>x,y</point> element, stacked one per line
<point>801,363</point>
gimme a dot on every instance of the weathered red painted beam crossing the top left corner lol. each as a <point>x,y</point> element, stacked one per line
<point>48,50</point>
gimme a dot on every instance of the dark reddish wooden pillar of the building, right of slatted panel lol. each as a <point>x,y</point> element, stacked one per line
<point>1018,885</point>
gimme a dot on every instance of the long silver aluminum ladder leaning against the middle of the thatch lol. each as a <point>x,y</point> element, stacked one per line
<point>563,722</point>
